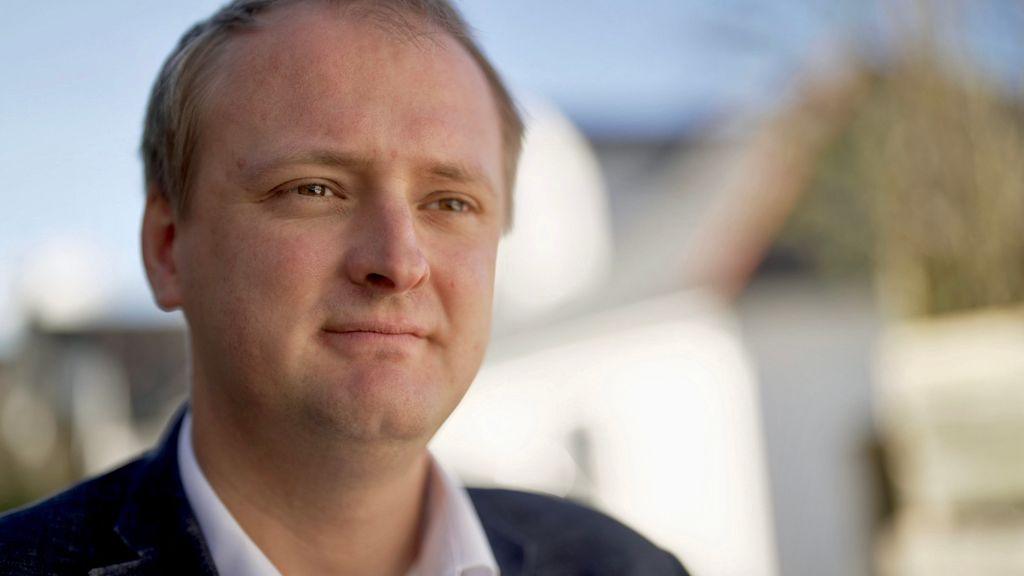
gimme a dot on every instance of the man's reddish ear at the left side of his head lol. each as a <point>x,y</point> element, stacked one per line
<point>159,235</point>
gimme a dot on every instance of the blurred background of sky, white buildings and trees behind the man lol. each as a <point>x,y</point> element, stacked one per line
<point>764,300</point>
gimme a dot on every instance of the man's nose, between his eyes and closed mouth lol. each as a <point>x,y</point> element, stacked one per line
<point>386,255</point>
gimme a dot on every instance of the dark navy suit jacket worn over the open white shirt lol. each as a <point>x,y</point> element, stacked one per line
<point>138,521</point>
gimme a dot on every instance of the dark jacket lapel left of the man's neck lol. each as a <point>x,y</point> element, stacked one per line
<point>157,522</point>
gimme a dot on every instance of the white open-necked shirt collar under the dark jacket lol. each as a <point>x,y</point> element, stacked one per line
<point>454,543</point>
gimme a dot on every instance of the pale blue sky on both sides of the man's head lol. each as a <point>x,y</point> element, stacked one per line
<point>78,75</point>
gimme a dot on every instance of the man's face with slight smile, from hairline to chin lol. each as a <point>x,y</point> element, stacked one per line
<point>337,261</point>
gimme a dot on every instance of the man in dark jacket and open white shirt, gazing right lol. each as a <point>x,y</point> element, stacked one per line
<point>327,186</point>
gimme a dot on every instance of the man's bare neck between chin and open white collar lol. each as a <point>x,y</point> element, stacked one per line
<point>317,510</point>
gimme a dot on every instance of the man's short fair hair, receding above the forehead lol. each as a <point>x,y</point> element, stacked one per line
<point>172,133</point>
